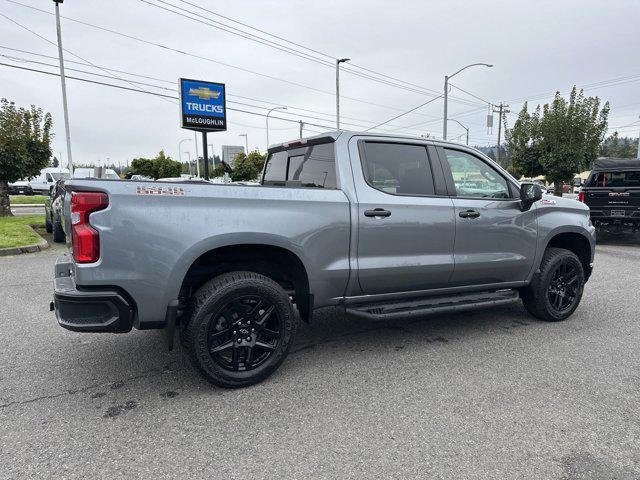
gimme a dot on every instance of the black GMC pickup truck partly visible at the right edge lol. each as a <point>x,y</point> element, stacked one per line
<point>612,192</point>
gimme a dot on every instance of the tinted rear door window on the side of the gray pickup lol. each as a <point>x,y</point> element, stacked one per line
<point>398,168</point>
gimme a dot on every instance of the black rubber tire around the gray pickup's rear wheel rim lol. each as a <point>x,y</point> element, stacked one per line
<point>205,308</point>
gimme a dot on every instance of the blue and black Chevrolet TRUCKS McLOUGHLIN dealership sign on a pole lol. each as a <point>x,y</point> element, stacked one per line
<point>203,105</point>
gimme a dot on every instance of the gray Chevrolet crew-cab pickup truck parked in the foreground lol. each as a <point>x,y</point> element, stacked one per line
<point>384,227</point>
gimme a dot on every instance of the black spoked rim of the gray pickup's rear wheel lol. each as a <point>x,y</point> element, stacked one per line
<point>244,333</point>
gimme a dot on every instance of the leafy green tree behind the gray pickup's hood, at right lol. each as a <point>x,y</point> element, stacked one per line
<point>559,139</point>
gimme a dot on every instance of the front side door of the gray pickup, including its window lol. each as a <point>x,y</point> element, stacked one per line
<point>495,240</point>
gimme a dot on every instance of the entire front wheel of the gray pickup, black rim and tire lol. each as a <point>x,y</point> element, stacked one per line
<point>556,290</point>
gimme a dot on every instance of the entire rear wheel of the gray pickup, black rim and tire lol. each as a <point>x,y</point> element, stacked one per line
<point>240,329</point>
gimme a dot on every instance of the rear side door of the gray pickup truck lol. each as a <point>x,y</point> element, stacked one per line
<point>412,247</point>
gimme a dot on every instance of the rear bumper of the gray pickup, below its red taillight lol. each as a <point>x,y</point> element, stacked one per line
<point>104,310</point>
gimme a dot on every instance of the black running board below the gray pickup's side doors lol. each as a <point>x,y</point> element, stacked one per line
<point>417,307</point>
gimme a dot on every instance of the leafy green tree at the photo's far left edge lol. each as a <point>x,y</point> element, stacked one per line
<point>25,146</point>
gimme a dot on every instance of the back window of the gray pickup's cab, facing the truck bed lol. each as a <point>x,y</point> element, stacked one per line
<point>310,166</point>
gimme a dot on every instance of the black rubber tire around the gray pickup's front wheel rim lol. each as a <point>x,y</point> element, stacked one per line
<point>535,296</point>
